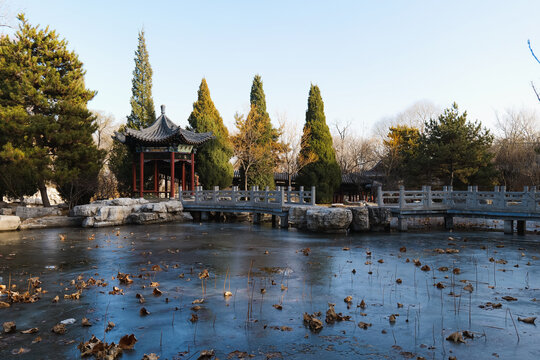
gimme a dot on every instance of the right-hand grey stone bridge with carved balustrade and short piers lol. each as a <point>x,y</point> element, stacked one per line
<point>511,207</point>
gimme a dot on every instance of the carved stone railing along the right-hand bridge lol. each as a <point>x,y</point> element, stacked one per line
<point>500,200</point>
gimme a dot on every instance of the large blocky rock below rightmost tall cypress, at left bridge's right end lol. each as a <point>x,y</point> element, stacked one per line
<point>330,220</point>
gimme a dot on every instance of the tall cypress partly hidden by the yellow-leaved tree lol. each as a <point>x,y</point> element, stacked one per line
<point>263,172</point>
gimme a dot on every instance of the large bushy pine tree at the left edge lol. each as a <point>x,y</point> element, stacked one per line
<point>45,125</point>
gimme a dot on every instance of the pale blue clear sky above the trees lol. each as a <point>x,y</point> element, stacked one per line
<point>371,59</point>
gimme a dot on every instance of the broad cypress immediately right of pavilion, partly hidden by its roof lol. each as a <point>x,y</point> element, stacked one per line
<point>213,157</point>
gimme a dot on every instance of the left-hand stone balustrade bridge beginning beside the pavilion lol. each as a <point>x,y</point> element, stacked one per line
<point>274,202</point>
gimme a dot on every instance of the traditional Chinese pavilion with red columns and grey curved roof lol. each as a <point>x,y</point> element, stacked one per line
<point>160,151</point>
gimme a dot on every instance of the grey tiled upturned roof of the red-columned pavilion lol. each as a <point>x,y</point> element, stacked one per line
<point>162,131</point>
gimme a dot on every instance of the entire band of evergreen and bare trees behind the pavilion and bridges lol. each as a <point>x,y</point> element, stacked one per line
<point>49,137</point>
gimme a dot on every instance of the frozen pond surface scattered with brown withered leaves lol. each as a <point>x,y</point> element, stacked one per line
<point>364,267</point>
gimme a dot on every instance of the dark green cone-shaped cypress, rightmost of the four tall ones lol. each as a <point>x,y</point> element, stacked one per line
<point>324,173</point>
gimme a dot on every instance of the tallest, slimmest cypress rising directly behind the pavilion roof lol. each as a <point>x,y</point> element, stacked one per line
<point>142,105</point>
